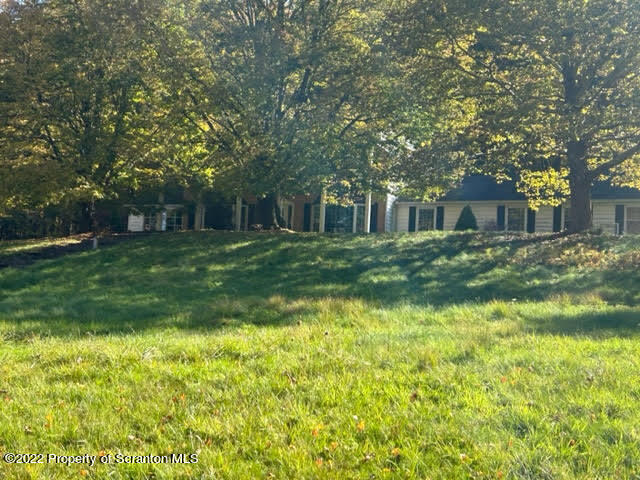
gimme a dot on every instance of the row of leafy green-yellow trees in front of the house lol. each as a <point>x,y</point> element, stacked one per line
<point>276,97</point>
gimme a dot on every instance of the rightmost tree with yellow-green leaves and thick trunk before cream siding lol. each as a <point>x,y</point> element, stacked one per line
<point>551,91</point>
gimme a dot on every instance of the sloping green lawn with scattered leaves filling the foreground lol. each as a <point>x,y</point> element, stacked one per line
<point>305,356</point>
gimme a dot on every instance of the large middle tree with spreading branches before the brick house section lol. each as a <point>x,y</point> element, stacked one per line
<point>285,96</point>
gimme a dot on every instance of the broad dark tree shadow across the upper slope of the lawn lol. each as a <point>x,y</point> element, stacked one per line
<point>209,280</point>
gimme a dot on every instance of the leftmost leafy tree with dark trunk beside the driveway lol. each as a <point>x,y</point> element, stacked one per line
<point>76,101</point>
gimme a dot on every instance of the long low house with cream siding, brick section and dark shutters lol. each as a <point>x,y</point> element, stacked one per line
<point>496,206</point>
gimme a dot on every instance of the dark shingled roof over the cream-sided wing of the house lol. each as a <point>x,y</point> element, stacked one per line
<point>484,187</point>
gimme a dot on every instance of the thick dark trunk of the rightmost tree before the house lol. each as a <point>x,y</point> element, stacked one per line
<point>580,215</point>
